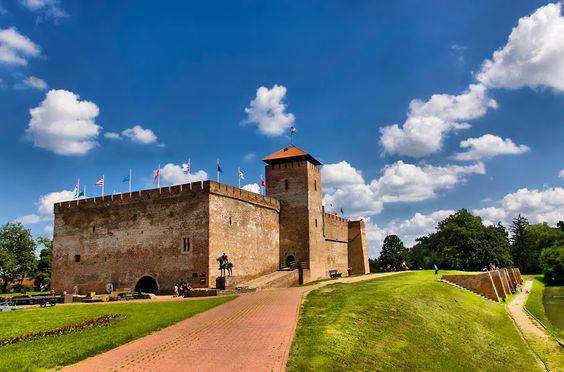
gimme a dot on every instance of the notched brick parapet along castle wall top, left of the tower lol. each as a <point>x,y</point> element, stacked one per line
<point>171,191</point>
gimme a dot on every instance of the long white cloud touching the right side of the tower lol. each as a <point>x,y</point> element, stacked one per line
<point>345,187</point>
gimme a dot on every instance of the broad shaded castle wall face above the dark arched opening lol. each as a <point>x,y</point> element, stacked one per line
<point>118,239</point>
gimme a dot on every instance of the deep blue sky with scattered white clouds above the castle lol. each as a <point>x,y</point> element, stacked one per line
<point>172,82</point>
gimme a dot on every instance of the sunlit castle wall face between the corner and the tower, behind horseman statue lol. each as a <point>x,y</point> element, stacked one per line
<point>247,232</point>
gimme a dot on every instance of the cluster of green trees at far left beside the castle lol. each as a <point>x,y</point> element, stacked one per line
<point>18,260</point>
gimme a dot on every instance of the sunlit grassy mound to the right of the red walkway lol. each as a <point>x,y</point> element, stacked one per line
<point>405,322</point>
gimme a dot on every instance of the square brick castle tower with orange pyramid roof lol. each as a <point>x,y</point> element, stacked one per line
<point>293,177</point>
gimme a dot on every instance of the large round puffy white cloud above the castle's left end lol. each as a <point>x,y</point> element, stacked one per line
<point>64,124</point>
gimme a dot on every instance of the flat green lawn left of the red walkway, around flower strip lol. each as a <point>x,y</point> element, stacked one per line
<point>138,319</point>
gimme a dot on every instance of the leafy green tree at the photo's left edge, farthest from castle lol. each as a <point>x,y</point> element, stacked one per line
<point>17,254</point>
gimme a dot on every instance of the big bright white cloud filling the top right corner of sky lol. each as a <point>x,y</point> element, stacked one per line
<point>533,55</point>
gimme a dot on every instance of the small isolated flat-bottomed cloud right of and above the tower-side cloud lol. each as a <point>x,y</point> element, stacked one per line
<point>488,146</point>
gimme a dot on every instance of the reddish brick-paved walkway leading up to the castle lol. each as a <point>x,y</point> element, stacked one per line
<point>253,332</point>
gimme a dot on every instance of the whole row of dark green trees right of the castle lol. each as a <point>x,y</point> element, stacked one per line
<point>462,242</point>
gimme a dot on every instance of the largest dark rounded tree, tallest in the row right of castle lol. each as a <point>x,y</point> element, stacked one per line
<point>462,242</point>
